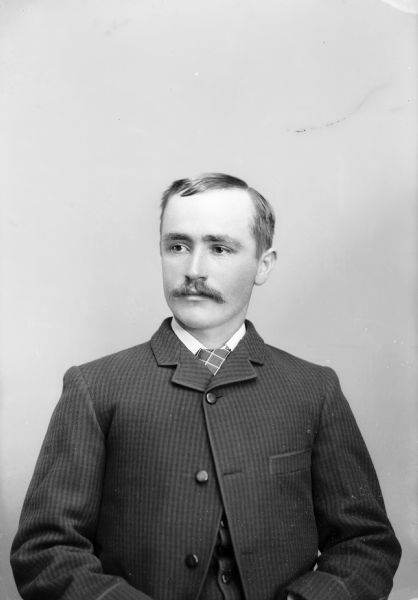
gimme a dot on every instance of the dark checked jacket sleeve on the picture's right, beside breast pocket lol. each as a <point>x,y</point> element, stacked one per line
<point>359,552</point>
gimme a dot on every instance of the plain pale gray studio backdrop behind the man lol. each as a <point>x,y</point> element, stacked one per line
<point>313,102</point>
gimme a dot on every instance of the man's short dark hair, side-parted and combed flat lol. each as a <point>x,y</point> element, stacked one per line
<point>264,220</point>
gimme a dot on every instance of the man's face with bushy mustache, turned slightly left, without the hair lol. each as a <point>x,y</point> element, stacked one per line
<point>209,258</point>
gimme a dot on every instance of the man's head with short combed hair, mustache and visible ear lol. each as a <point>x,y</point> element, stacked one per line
<point>216,235</point>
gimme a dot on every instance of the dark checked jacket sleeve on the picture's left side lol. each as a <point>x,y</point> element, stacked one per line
<point>53,551</point>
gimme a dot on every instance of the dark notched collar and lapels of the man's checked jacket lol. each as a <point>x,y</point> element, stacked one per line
<point>192,373</point>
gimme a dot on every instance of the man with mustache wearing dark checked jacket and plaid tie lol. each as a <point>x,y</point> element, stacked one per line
<point>170,471</point>
